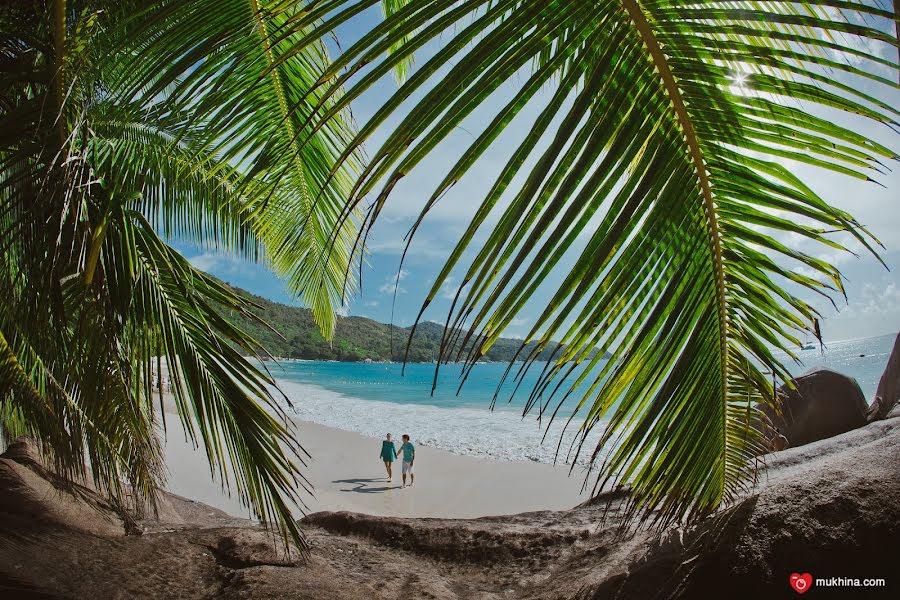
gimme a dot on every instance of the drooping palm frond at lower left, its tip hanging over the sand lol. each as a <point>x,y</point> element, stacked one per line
<point>174,314</point>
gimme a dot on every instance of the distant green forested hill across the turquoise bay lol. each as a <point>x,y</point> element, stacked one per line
<point>355,339</point>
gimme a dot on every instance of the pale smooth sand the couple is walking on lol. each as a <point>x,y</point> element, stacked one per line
<point>347,474</point>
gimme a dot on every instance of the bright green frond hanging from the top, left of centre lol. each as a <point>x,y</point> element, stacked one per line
<point>250,91</point>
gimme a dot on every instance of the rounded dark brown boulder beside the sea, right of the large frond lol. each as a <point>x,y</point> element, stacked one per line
<point>815,406</point>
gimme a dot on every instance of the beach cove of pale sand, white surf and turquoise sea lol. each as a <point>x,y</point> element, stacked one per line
<point>498,464</point>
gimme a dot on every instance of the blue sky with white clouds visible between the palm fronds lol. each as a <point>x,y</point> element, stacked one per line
<point>873,305</point>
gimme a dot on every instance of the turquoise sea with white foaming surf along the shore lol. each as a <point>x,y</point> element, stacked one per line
<point>374,398</point>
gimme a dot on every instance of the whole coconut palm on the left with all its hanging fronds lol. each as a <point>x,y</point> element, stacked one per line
<point>125,127</point>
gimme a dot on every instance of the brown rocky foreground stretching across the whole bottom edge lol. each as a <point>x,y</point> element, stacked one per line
<point>831,508</point>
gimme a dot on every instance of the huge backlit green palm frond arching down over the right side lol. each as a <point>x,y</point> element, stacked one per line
<point>654,176</point>
